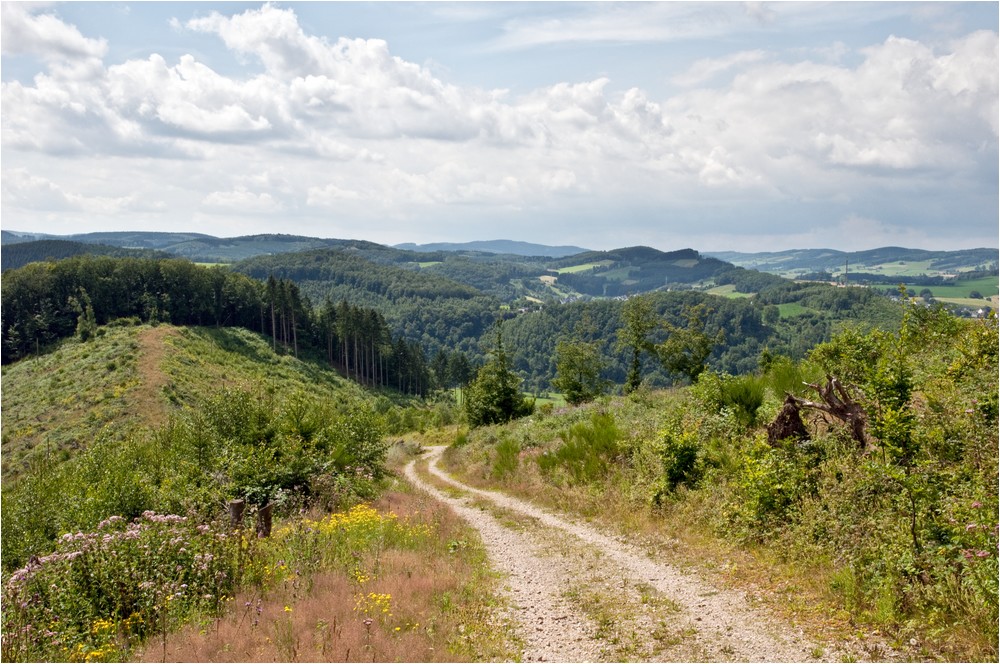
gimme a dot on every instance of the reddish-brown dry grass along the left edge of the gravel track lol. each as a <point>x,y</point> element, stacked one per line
<point>431,604</point>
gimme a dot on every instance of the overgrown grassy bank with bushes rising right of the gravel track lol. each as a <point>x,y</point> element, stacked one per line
<point>897,540</point>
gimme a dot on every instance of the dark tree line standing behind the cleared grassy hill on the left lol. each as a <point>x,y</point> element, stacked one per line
<point>45,302</point>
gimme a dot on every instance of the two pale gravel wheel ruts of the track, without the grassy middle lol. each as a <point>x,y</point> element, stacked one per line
<point>720,624</point>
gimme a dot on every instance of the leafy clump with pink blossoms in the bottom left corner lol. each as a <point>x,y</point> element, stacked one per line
<point>72,604</point>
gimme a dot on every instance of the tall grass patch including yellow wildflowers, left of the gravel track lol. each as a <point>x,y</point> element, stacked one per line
<point>368,584</point>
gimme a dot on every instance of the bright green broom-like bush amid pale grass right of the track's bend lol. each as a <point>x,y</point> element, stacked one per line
<point>586,450</point>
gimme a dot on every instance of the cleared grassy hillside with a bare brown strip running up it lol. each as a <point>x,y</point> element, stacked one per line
<point>135,376</point>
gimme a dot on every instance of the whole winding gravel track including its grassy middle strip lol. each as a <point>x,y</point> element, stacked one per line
<point>696,621</point>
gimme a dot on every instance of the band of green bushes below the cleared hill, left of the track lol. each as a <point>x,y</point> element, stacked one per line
<point>239,445</point>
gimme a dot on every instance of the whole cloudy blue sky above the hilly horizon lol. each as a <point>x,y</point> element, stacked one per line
<point>715,126</point>
